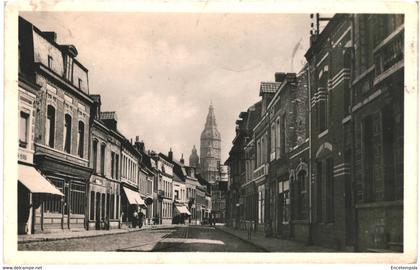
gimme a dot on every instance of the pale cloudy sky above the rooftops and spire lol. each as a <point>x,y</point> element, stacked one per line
<point>160,71</point>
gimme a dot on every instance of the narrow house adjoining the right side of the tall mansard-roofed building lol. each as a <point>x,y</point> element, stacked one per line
<point>104,189</point>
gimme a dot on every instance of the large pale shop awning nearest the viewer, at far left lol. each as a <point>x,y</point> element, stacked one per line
<point>35,182</point>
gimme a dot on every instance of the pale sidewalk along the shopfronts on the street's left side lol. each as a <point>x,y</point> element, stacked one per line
<point>82,233</point>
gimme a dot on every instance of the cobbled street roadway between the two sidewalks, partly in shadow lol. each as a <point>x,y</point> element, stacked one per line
<point>177,239</point>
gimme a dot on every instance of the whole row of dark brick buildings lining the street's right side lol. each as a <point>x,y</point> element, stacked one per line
<point>324,163</point>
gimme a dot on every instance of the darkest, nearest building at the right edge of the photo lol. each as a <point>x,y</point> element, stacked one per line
<point>376,114</point>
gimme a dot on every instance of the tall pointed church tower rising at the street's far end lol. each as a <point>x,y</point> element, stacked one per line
<point>210,148</point>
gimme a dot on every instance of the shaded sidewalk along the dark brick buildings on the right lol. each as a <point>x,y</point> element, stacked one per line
<point>270,244</point>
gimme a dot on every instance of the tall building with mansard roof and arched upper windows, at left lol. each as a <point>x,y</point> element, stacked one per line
<point>62,127</point>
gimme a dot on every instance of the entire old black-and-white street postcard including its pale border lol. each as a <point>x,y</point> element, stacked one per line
<point>213,132</point>
